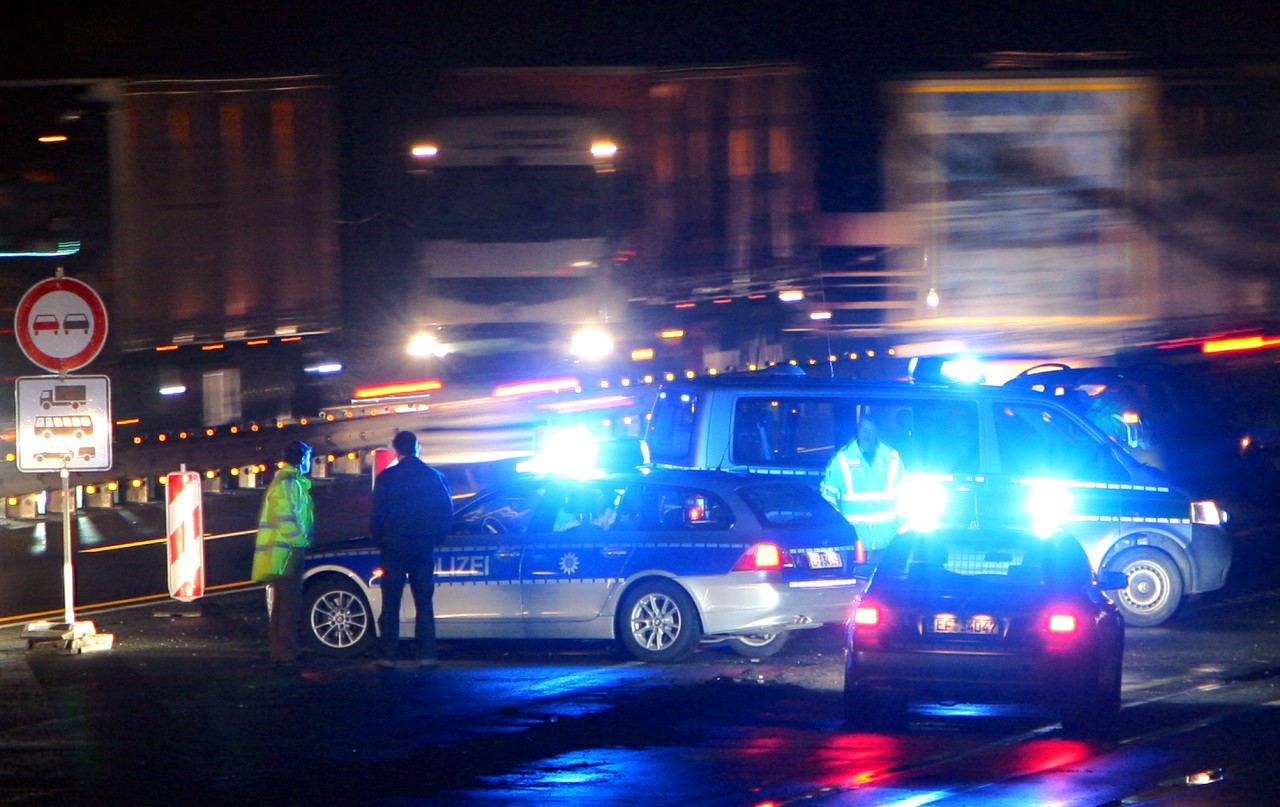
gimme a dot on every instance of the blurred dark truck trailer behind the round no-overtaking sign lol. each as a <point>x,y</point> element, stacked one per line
<point>226,266</point>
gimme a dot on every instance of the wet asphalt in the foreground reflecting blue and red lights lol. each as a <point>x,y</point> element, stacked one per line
<point>188,712</point>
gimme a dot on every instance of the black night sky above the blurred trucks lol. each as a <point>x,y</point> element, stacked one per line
<point>383,54</point>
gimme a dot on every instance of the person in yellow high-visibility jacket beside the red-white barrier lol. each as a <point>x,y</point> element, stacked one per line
<point>285,531</point>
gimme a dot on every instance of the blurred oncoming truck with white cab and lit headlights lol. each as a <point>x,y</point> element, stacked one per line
<point>550,202</point>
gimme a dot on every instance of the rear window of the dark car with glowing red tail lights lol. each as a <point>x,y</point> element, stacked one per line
<point>985,560</point>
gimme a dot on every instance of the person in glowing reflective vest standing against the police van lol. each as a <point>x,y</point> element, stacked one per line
<point>862,482</point>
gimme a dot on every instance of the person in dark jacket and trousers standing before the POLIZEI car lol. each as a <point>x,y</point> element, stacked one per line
<point>413,509</point>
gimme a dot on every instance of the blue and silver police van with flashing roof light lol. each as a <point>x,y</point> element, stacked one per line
<point>971,455</point>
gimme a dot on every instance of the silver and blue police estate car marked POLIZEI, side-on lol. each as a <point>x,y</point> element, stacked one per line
<point>657,560</point>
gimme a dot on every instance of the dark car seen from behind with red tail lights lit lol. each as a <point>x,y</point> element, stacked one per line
<point>985,617</point>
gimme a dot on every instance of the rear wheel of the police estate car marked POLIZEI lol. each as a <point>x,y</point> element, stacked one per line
<point>659,622</point>
